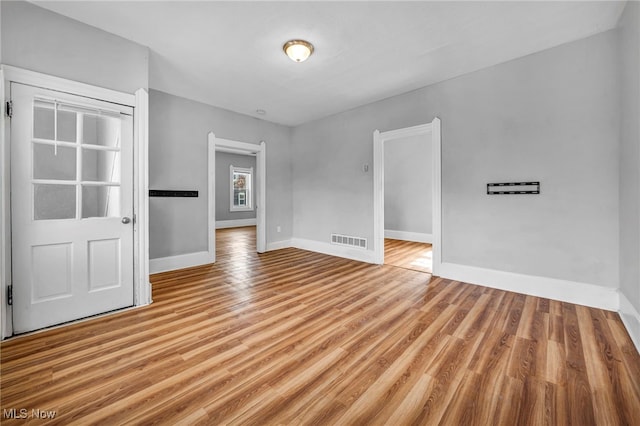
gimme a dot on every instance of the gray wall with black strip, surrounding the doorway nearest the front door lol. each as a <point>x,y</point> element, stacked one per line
<point>178,131</point>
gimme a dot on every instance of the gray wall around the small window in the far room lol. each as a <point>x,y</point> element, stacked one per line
<point>223,185</point>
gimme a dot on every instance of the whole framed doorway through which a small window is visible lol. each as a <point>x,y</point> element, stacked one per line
<point>237,191</point>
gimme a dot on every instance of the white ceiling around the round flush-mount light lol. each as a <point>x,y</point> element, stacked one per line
<point>229,54</point>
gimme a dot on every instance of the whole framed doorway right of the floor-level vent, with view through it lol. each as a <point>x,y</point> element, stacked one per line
<point>410,206</point>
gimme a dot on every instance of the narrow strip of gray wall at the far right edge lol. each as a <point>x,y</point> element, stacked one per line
<point>630,154</point>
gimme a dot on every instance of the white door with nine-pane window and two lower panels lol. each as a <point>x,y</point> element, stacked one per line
<point>71,207</point>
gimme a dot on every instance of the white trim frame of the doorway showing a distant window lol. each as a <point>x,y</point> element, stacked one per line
<point>243,148</point>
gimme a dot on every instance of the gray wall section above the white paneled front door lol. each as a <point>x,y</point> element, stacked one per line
<point>40,40</point>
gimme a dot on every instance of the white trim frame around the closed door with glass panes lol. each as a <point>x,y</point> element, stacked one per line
<point>140,102</point>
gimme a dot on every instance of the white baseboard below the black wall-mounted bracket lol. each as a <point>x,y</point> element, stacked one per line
<point>551,288</point>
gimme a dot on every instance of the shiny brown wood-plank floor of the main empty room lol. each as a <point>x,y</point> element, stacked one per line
<point>294,337</point>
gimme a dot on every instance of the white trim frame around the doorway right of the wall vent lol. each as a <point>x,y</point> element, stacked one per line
<point>379,139</point>
